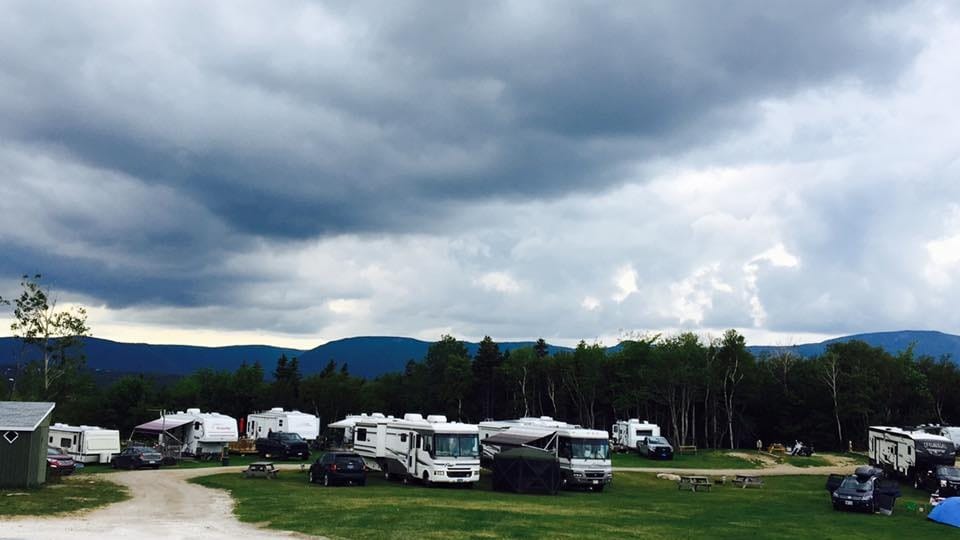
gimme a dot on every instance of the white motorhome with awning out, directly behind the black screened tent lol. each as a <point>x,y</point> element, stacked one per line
<point>584,454</point>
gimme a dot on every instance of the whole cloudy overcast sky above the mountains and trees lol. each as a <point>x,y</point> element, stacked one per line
<point>295,172</point>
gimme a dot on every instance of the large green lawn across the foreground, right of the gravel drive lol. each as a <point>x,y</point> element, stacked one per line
<point>636,505</point>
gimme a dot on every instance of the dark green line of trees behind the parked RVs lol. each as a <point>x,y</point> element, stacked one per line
<point>703,392</point>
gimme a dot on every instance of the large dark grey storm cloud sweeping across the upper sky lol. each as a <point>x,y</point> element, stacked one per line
<point>380,116</point>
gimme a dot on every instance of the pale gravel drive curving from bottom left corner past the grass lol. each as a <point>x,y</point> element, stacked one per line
<point>163,506</point>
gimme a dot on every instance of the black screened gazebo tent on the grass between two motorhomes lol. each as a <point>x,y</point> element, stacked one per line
<point>526,470</point>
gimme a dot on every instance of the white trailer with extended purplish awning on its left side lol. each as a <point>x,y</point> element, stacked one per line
<point>192,433</point>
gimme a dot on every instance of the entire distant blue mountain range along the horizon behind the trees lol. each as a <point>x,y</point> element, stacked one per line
<point>372,356</point>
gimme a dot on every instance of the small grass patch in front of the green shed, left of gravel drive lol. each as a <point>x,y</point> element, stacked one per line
<point>67,495</point>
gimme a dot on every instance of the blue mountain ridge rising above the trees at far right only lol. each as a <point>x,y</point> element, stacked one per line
<point>926,342</point>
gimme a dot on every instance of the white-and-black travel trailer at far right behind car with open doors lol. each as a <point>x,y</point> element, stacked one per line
<point>905,453</point>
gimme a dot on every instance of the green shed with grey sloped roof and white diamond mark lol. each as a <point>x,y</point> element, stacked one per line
<point>24,426</point>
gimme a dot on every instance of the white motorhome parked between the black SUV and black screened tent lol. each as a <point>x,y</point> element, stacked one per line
<point>431,449</point>
